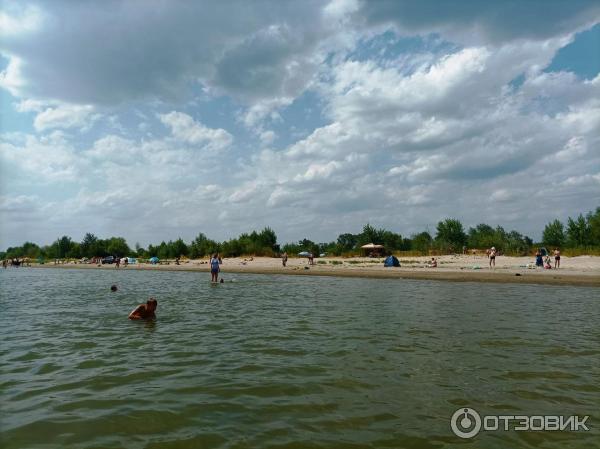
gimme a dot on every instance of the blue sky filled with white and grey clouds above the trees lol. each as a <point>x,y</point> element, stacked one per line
<point>155,119</point>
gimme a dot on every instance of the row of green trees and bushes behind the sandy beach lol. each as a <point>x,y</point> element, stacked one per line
<point>582,233</point>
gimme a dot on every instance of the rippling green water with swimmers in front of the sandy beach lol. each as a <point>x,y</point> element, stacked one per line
<point>289,361</point>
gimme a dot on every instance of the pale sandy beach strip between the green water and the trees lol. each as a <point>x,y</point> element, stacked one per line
<point>582,270</point>
